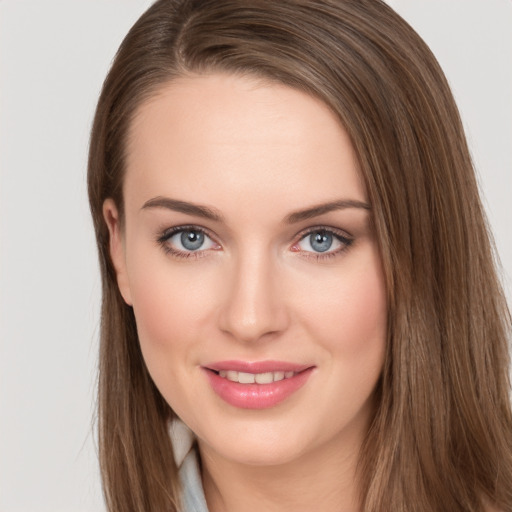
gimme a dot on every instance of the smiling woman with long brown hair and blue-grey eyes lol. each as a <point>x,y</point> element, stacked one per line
<point>296,265</point>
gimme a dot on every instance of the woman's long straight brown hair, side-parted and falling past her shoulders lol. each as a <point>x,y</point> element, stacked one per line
<point>441,438</point>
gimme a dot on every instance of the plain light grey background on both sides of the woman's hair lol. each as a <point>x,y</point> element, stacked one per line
<point>53,58</point>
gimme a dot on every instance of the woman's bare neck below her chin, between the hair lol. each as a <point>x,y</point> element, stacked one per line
<point>324,478</point>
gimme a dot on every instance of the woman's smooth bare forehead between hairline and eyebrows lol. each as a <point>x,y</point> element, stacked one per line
<point>205,138</point>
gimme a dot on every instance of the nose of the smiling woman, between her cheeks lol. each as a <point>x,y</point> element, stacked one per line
<point>254,306</point>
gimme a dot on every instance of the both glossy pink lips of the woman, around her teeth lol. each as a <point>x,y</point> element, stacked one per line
<point>256,396</point>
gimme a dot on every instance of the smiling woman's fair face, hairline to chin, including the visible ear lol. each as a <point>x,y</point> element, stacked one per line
<point>248,257</point>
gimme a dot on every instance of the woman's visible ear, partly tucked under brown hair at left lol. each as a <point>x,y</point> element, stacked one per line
<point>116,248</point>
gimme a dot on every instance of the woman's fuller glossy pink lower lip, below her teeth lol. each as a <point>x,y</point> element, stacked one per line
<point>257,396</point>
